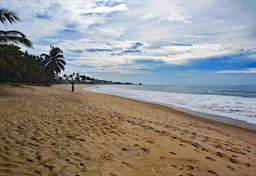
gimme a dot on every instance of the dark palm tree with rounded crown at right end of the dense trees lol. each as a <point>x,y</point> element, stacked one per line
<point>54,62</point>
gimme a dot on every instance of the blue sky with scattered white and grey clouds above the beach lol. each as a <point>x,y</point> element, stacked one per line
<point>146,41</point>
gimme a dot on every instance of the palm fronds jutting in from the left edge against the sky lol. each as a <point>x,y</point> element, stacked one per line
<point>12,36</point>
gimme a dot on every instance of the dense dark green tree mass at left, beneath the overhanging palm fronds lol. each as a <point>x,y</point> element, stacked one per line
<point>18,66</point>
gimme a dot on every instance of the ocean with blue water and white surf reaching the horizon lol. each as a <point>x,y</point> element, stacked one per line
<point>237,102</point>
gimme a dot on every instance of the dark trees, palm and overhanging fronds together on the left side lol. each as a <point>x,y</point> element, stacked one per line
<point>22,67</point>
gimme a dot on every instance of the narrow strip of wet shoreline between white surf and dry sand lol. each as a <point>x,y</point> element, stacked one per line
<point>195,114</point>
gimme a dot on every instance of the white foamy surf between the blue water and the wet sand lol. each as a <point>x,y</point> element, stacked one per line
<point>235,107</point>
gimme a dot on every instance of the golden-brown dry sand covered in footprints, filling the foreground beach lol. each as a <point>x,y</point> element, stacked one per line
<point>51,131</point>
